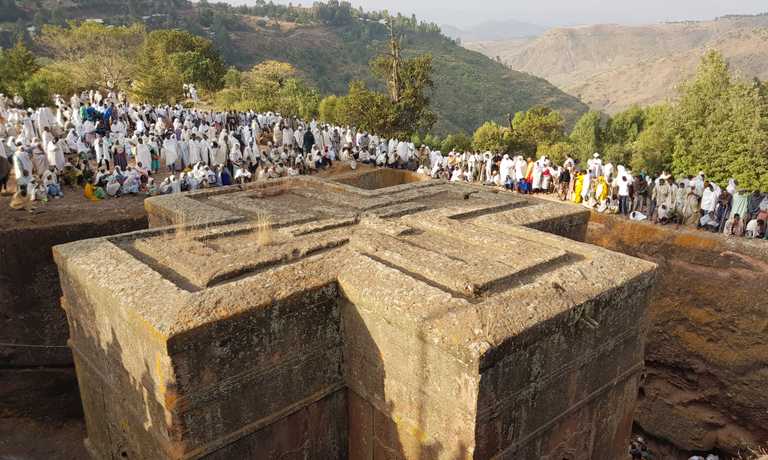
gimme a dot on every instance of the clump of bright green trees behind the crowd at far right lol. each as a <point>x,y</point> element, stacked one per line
<point>719,125</point>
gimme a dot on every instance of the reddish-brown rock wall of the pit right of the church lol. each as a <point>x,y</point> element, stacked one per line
<point>707,353</point>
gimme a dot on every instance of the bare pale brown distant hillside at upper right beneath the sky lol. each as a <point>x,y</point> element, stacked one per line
<point>612,67</point>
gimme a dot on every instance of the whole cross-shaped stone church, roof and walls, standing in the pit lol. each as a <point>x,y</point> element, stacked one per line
<point>367,317</point>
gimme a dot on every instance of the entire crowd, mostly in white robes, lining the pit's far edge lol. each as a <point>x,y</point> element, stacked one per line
<point>110,148</point>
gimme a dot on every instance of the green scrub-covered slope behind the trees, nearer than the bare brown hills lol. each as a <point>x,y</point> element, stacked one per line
<point>469,87</point>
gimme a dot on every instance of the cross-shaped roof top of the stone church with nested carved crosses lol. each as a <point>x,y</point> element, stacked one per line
<point>474,253</point>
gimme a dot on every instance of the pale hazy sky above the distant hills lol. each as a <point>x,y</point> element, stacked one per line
<point>560,12</point>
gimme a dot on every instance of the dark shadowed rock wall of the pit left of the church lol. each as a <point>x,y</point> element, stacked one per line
<point>37,377</point>
